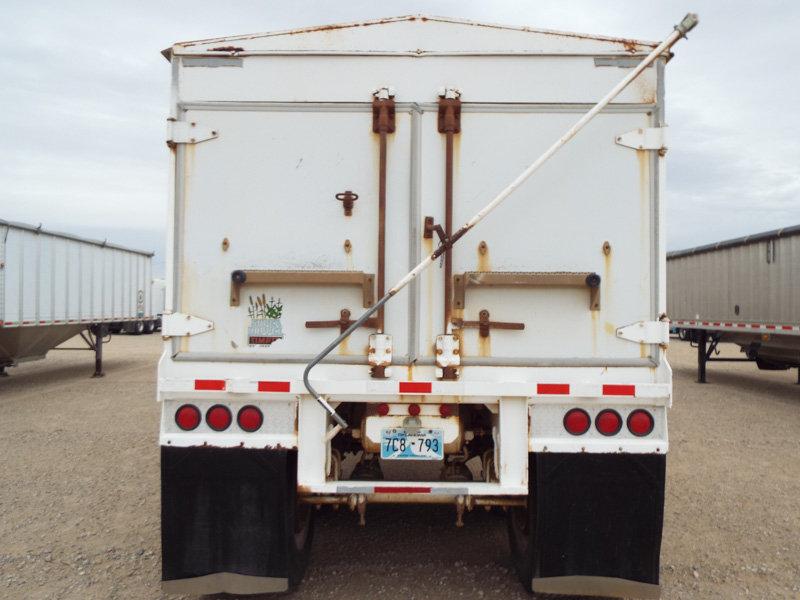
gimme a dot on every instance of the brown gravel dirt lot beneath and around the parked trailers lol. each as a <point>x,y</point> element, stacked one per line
<point>79,501</point>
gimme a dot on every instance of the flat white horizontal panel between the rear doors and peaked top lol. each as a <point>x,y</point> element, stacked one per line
<point>352,79</point>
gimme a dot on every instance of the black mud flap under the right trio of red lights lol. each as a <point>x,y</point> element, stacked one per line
<point>593,525</point>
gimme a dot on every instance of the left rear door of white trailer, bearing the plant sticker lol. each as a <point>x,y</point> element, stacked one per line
<point>261,198</point>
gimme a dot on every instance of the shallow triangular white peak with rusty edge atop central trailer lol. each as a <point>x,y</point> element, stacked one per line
<point>414,35</point>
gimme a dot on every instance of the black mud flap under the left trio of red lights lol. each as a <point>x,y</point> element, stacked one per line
<point>228,521</point>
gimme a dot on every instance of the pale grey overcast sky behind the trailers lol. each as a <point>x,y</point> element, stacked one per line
<point>85,96</point>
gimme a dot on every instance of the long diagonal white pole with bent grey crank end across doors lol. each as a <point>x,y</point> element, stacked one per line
<point>681,29</point>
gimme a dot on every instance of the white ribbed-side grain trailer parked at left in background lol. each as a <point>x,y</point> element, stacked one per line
<point>54,286</point>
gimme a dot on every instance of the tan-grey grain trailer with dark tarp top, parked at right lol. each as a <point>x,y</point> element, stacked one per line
<point>744,291</point>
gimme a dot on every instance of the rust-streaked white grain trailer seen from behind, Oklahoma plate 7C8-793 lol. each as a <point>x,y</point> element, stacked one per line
<point>525,369</point>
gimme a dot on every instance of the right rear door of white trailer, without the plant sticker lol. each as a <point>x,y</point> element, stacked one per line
<point>589,210</point>
